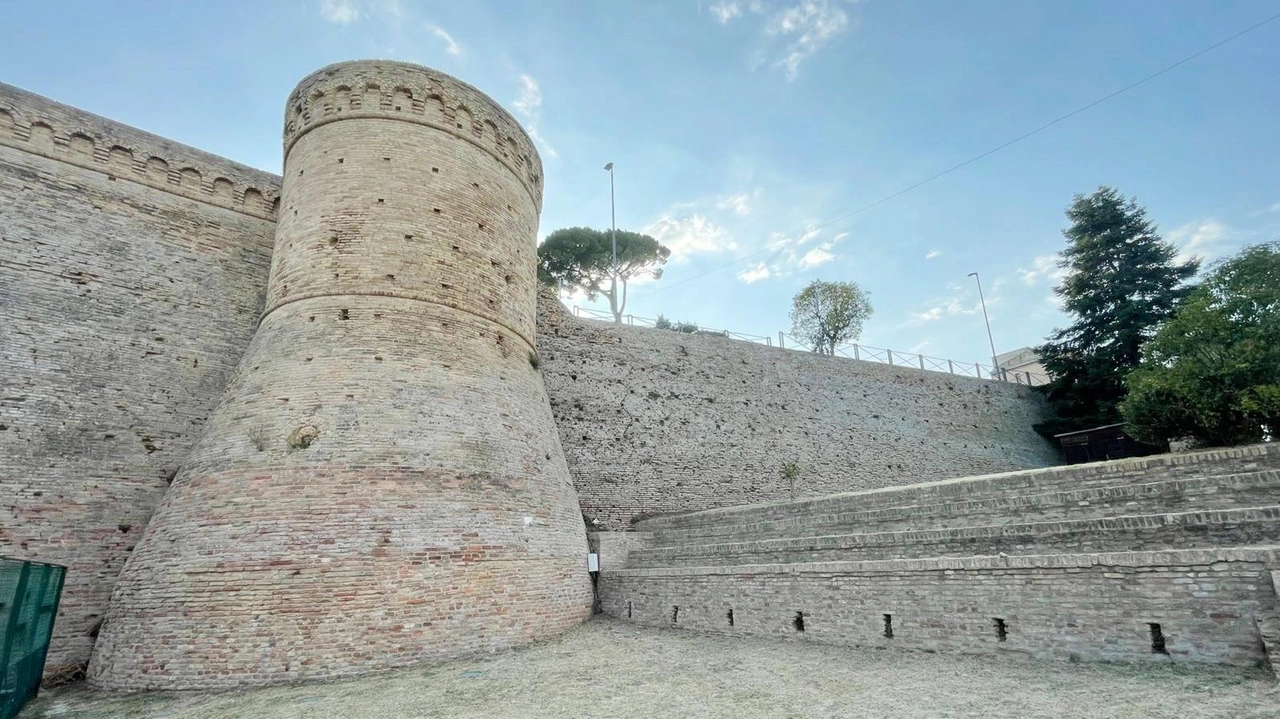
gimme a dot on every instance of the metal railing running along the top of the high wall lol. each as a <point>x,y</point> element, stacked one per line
<point>863,352</point>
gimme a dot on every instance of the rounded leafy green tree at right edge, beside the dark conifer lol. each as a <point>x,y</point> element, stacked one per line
<point>1213,373</point>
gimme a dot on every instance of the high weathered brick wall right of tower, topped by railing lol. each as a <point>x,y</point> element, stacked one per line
<point>656,422</point>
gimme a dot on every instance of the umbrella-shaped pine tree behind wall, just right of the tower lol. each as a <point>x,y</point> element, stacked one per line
<point>582,259</point>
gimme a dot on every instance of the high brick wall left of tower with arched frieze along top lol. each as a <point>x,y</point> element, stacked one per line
<point>132,273</point>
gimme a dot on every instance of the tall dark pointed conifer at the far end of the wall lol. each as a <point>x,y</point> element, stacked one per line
<point>1122,282</point>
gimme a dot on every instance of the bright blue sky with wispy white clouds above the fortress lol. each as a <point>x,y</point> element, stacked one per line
<point>742,129</point>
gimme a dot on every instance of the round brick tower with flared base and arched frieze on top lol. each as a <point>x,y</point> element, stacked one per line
<point>382,483</point>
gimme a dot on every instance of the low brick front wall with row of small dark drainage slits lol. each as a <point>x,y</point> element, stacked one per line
<point>1059,607</point>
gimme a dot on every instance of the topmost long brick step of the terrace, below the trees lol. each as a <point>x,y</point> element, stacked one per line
<point>1217,462</point>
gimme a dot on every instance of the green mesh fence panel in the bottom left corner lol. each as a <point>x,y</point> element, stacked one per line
<point>29,603</point>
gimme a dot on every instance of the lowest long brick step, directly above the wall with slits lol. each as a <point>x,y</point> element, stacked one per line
<point>1142,533</point>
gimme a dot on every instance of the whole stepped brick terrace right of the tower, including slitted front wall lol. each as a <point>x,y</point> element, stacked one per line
<point>948,560</point>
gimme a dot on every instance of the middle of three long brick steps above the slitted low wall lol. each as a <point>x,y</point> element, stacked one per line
<point>1231,492</point>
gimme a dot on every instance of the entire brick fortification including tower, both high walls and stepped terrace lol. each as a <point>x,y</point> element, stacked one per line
<point>249,413</point>
